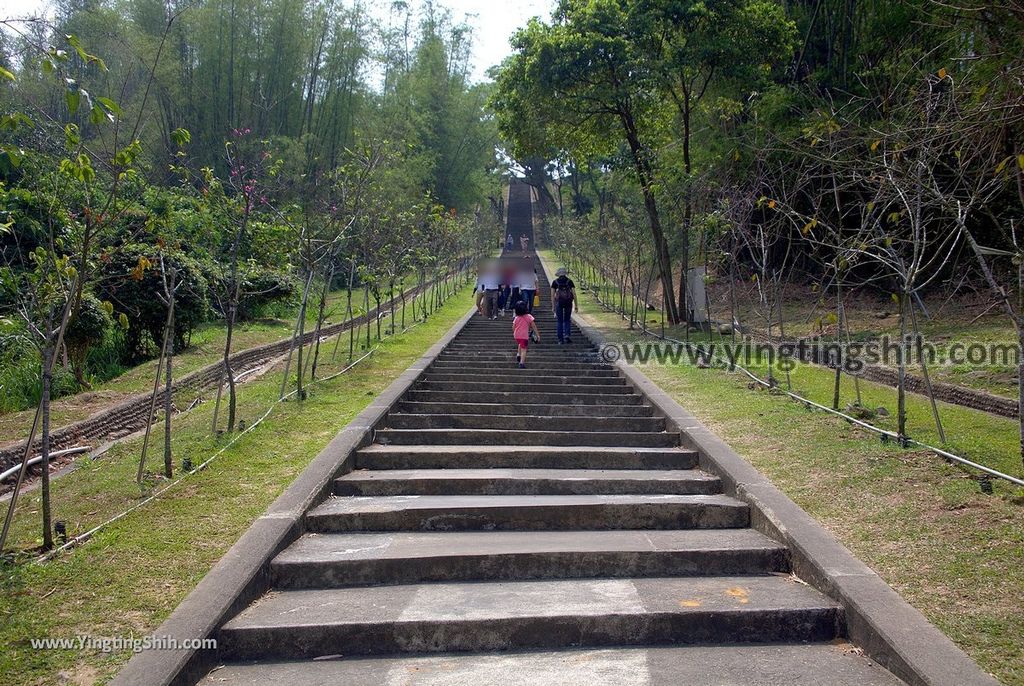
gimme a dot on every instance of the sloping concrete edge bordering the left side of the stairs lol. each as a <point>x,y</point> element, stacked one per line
<point>242,575</point>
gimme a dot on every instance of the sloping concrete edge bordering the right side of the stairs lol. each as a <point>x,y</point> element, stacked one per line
<point>878,620</point>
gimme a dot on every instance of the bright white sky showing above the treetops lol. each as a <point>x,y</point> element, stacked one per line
<point>494,22</point>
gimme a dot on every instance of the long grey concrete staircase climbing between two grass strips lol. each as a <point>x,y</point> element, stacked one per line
<point>534,527</point>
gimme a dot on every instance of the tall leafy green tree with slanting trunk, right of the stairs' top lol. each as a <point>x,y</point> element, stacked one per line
<point>584,82</point>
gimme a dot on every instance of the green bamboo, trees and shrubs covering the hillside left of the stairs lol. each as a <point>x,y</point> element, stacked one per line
<point>164,165</point>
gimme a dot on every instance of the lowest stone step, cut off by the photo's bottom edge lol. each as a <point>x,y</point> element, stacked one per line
<point>836,664</point>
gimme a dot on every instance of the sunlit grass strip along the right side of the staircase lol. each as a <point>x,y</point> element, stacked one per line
<point>924,526</point>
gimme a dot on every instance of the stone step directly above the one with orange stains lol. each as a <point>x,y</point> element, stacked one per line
<point>334,561</point>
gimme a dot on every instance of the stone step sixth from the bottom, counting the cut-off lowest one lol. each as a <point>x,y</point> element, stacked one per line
<point>523,457</point>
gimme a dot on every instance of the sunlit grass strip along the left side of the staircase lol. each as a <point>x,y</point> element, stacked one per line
<point>131,577</point>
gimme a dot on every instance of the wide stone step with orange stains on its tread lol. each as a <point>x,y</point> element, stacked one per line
<point>503,616</point>
